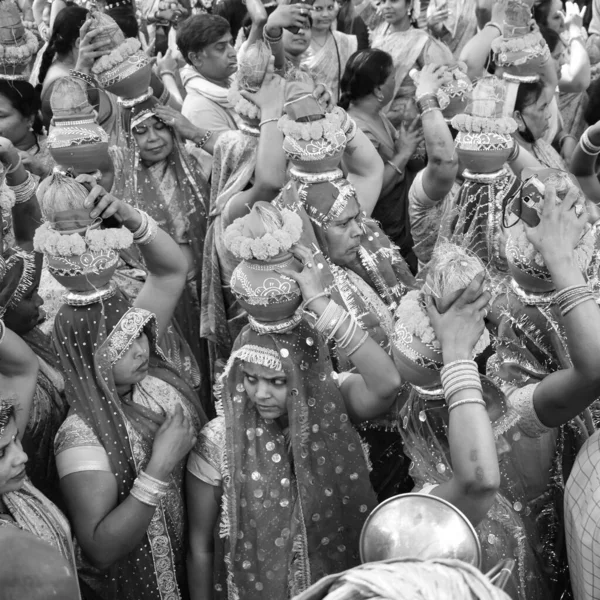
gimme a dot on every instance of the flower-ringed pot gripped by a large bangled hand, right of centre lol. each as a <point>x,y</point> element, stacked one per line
<point>416,351</point>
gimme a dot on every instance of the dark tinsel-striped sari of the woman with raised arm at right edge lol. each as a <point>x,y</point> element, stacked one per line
<point>531,345</point>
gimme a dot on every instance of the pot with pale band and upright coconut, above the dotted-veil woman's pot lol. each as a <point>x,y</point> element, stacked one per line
<point>75,139</point>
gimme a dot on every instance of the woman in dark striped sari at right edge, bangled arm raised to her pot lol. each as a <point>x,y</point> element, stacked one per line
<point>546,363</point>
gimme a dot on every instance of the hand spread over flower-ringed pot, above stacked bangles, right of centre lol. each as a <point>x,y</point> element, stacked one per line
<point>459,327</point>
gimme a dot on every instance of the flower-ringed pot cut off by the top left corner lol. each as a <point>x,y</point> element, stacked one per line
<point>18,45</point>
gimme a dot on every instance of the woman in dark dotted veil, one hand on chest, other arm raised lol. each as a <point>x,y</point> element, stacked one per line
<point>121,451</point>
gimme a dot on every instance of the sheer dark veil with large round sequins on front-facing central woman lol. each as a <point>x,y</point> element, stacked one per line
<point>294,504</point>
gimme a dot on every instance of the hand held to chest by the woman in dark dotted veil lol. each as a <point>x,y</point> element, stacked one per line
<point>172,443</point>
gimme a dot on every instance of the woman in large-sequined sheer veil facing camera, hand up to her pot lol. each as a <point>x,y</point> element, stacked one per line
<point>287,424</point>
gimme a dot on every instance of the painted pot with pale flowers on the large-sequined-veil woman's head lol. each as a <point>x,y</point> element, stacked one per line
<point>263,240</point>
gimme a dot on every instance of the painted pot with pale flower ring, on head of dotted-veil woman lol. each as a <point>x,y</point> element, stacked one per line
<point>82,261</point>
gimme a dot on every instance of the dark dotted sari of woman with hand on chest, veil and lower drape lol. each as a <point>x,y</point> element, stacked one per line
<point>86,340</point>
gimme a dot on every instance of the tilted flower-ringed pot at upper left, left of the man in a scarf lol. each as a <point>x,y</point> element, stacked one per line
<point>125,70</point>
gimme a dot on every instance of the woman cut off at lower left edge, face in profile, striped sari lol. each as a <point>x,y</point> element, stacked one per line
<point>21,504</point>
